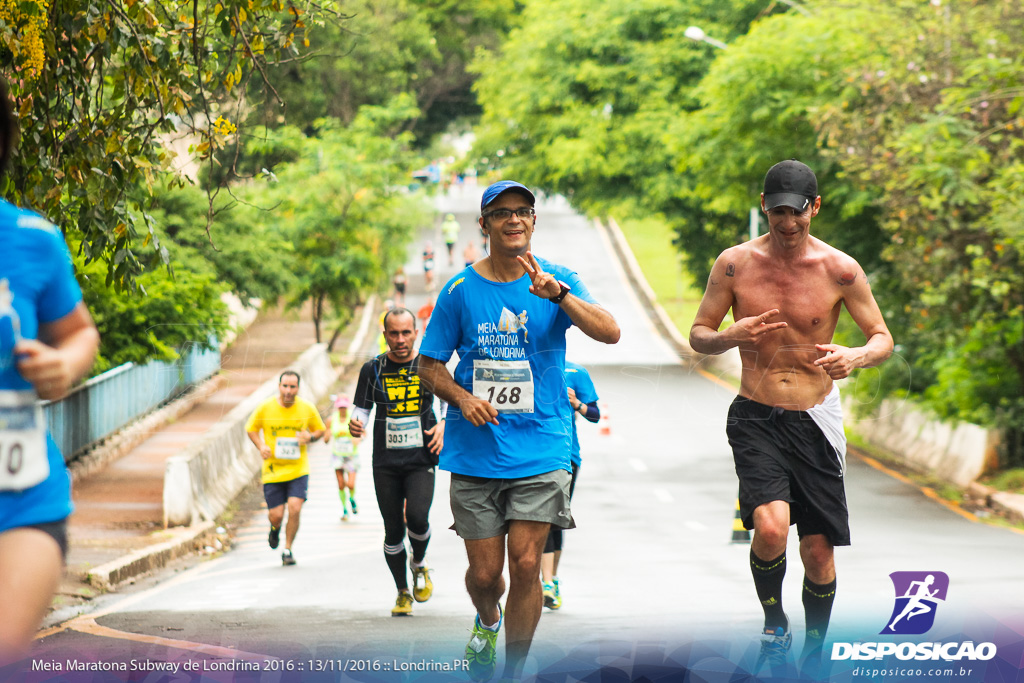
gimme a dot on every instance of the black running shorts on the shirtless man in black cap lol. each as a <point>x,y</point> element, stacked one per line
<point>784,456</point>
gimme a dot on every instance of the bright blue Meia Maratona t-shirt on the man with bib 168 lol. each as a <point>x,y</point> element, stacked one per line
<point>487,322</point>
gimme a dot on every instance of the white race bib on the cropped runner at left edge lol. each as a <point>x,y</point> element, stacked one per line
<point>23,442</point>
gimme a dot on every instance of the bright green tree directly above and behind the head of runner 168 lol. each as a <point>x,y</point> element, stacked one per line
<point>592,110</point>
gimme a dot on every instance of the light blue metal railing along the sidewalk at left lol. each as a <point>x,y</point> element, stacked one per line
<point>109,402</point>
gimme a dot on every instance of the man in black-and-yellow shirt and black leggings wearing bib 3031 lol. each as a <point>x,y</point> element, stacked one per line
<point>407,441</point>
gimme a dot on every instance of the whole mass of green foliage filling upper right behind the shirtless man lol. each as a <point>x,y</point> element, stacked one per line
<point>911,114</point>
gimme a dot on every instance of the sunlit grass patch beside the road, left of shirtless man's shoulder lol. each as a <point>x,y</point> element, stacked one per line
<point>651,241</point>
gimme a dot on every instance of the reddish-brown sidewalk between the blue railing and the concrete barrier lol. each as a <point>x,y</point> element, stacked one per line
<point>117,533</point>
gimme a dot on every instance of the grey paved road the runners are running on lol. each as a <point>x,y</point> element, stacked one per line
<point>652,583</point>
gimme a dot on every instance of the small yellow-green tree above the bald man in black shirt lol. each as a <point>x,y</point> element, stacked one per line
<point>346,207</point>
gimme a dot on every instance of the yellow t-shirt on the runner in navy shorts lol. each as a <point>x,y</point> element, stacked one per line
<point>280,428</point>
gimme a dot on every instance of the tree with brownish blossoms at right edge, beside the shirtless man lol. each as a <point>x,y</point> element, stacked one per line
<point>937,130</point>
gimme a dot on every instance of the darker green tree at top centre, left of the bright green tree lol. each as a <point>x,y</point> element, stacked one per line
<point>387,48</point>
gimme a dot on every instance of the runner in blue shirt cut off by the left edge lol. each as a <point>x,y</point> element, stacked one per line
<point>48,343</point>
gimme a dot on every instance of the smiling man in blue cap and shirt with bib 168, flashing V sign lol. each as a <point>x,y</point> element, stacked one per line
<point>508,440</point>
